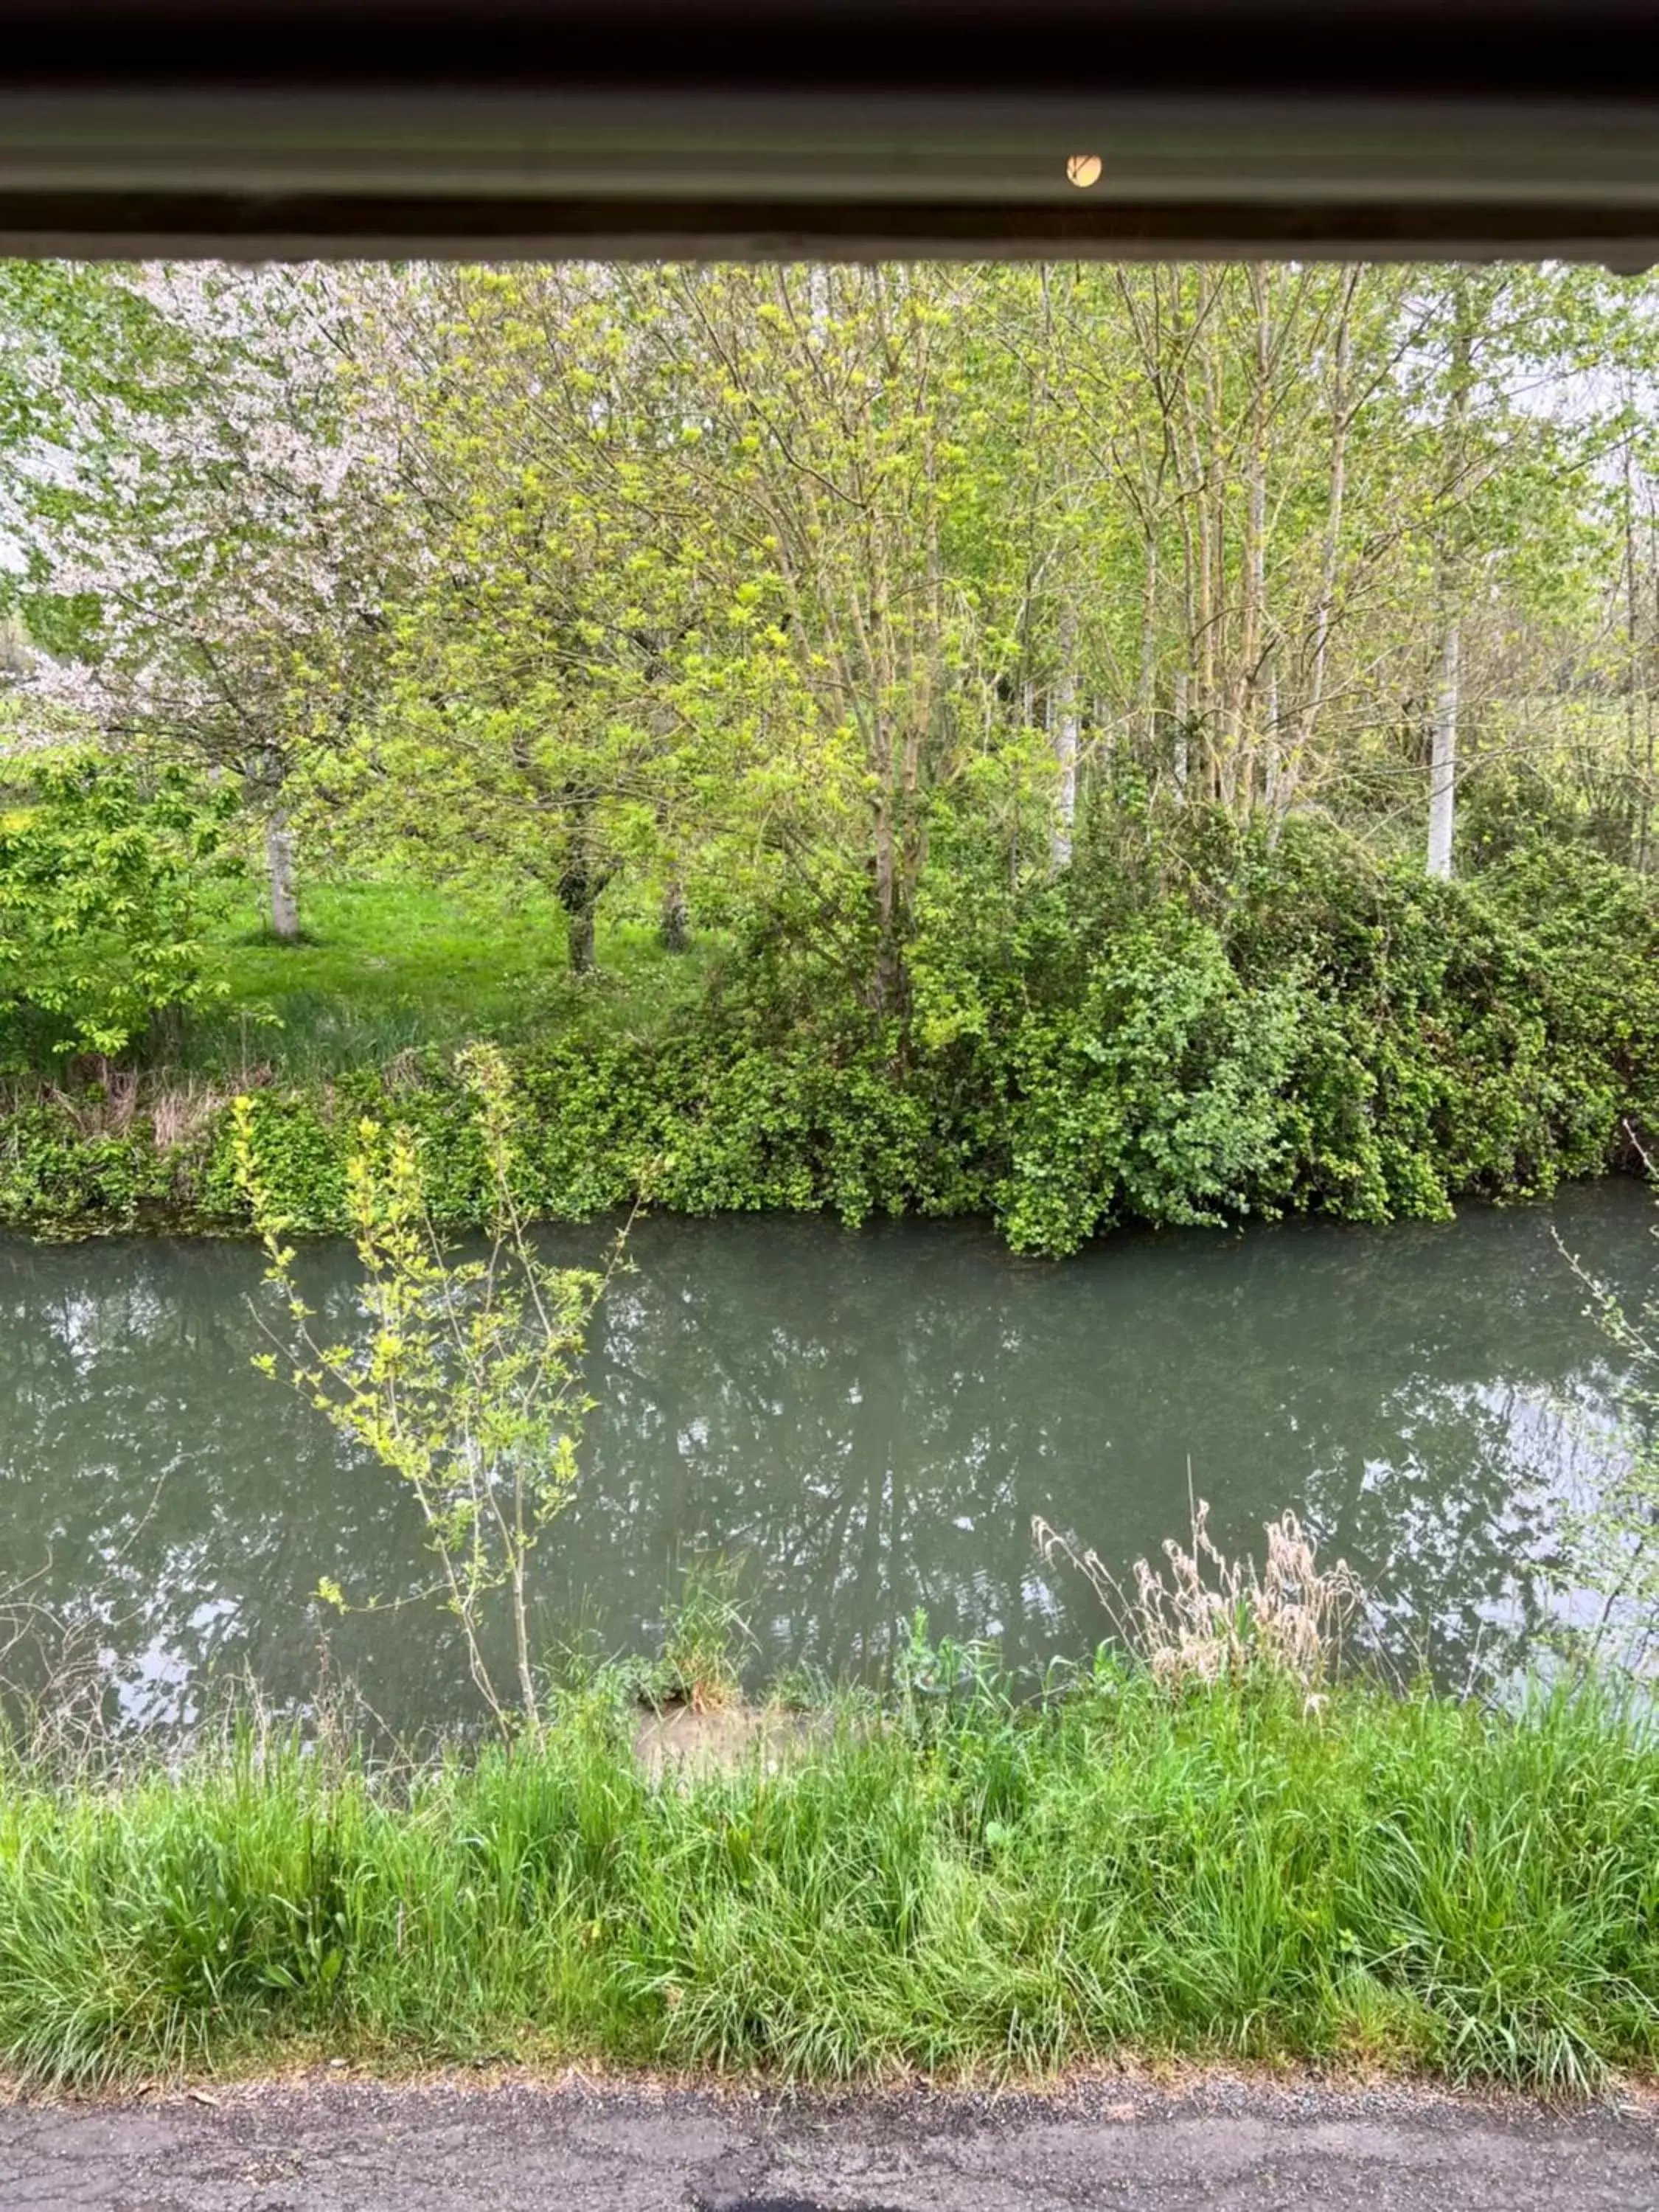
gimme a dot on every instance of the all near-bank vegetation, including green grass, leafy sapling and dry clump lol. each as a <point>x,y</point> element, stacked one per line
<point>1233,1835</point>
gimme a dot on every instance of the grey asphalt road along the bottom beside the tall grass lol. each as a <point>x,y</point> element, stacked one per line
<point>340,2147</point>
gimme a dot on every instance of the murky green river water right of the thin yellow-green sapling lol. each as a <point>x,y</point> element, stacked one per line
<point>906,1384</point>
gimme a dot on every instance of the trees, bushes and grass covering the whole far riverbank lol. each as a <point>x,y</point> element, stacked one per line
<point>1058,744</point>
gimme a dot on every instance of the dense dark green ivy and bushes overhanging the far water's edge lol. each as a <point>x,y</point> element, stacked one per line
<point>1295,1030</point>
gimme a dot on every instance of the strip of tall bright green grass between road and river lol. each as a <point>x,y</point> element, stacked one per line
<point>983,1890</point>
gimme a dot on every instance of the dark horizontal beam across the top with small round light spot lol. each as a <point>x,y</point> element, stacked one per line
<point>831,127</point>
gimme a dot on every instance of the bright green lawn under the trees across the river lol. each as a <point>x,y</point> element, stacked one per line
<point>390,966</point>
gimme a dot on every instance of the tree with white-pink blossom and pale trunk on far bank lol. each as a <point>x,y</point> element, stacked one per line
<point>213,523</point>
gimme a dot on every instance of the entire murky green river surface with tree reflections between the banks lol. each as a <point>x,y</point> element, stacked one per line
<point>870,1419</point>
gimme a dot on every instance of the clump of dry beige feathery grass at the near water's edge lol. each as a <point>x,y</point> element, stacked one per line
<point>1207,1618</point>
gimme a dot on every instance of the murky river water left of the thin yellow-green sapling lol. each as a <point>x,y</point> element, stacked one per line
<point>169,1490</point>
